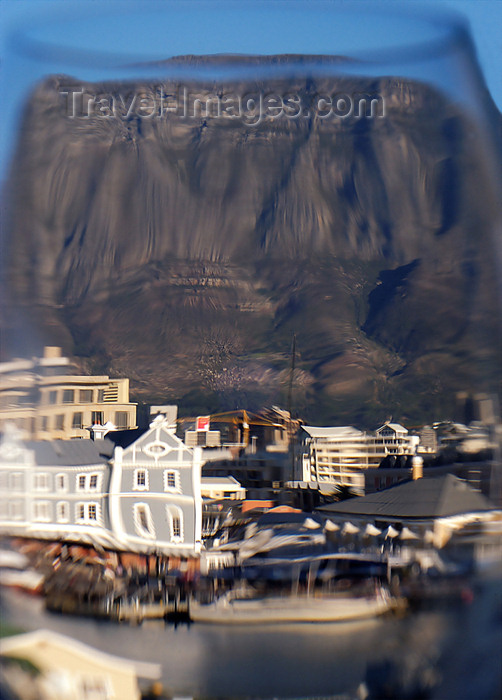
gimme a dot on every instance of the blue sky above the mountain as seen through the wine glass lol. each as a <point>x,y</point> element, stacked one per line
<point>86,40</point>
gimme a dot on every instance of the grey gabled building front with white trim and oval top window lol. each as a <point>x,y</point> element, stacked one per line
<point>155,497</point>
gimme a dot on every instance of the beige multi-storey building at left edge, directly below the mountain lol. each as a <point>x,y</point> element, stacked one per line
<point>47,399</point>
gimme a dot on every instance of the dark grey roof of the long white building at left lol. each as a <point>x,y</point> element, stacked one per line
<point>65,453</point>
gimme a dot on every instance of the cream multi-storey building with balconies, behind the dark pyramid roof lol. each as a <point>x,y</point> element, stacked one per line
<point>340,455</point>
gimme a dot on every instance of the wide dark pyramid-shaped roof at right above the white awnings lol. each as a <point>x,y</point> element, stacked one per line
<point>434,497</point>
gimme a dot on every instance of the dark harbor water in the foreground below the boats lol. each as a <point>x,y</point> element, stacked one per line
<point>448,650</point>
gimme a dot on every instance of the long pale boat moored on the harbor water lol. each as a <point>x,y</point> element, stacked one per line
<point>234,607</point>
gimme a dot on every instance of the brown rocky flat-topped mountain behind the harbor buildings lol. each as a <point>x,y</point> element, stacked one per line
<point>186,252</point>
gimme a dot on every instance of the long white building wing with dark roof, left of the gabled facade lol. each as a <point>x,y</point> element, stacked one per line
<point>54,489</point>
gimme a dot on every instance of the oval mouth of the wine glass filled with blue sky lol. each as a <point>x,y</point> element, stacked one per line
<point>365,31</point>
